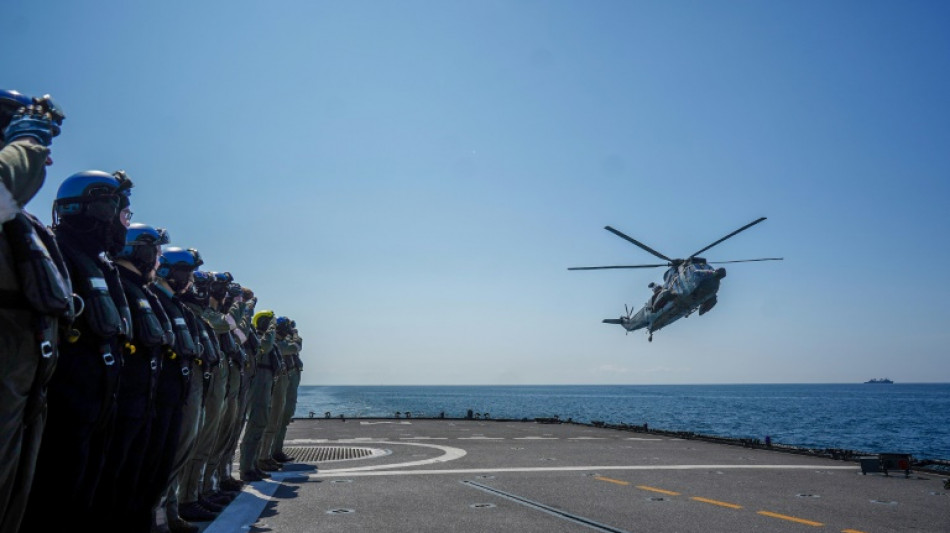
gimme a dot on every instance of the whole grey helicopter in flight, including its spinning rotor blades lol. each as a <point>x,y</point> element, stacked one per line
<point>689,285</point>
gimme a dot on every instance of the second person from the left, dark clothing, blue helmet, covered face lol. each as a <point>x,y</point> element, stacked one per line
<point>91,216</point>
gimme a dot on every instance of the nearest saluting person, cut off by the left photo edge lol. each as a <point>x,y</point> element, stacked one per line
<point>29,319</point>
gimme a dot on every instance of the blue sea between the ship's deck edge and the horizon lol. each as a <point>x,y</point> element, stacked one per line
<point>901,418</point>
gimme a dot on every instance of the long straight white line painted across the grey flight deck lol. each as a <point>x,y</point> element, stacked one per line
<point>369,470</point>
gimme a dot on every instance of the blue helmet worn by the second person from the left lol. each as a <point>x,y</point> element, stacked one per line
<point>93,193</point>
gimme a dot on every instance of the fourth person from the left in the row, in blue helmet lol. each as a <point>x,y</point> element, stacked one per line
<point>173,278</point>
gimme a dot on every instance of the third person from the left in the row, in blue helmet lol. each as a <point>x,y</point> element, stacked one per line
<point>151,341</point>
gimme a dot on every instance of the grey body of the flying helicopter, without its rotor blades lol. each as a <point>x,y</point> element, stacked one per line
<point>686,288</point>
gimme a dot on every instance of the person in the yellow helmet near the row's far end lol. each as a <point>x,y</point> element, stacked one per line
<point>259,397</point>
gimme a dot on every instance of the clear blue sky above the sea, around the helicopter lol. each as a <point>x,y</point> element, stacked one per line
<point>410,180</point>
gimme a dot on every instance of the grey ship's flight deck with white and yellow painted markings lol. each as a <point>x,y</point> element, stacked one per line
<point>461,476</point>
